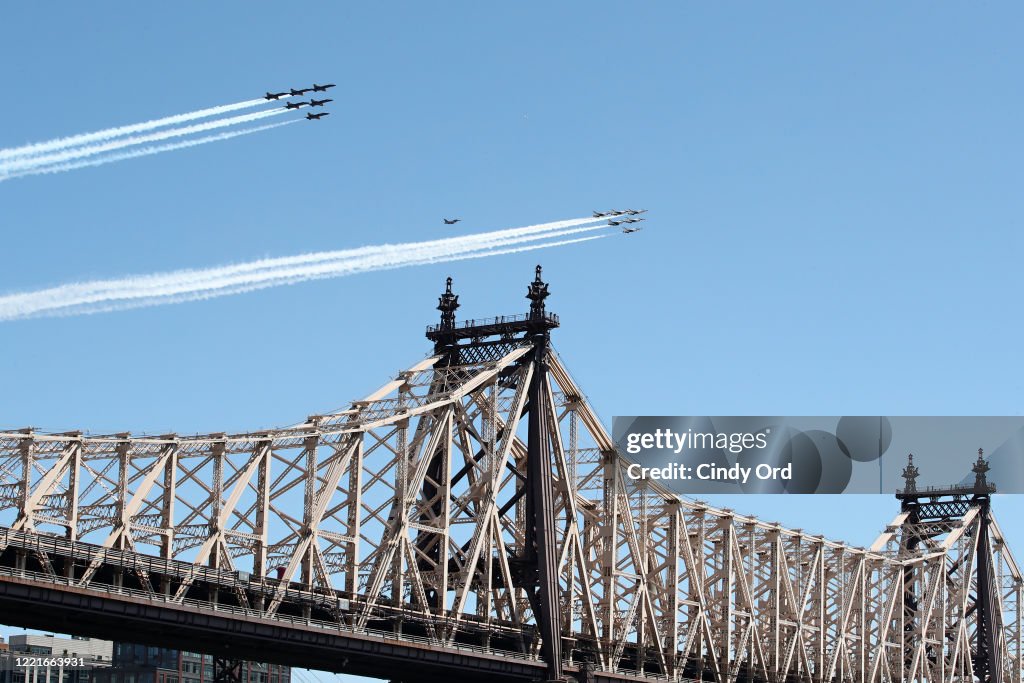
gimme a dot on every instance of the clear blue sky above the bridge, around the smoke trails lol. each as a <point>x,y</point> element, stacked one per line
<point>835,197</point>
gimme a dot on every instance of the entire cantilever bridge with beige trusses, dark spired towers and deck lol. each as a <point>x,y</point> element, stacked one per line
<point>472,521</point>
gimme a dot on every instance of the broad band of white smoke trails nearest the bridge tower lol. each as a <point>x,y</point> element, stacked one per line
<point>181,286</point>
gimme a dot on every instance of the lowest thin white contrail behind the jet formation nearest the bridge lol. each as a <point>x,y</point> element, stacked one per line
<point>339,271</point>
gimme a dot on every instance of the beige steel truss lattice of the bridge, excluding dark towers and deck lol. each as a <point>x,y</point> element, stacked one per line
<point>412,500</point>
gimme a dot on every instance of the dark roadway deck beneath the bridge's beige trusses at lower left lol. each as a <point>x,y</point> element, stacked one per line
<point>47,602</point>
